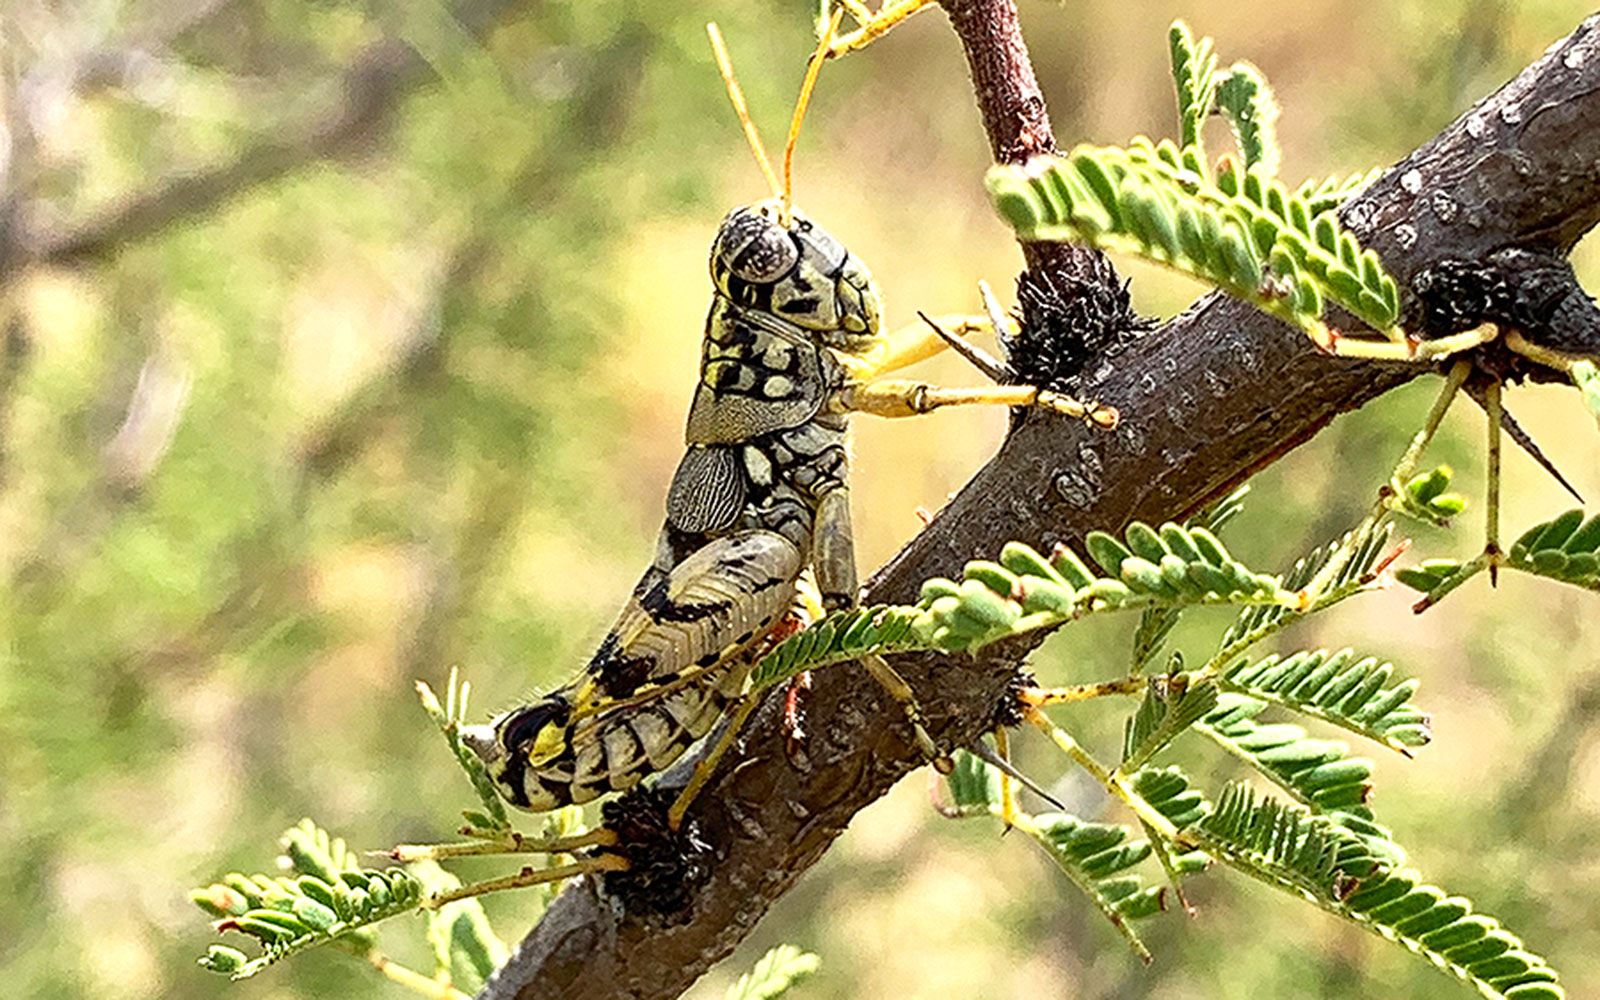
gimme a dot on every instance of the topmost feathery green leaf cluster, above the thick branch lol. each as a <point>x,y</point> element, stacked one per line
<point>1236,226</point>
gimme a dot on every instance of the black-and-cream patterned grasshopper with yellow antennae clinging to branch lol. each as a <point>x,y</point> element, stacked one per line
<point>793,348</point>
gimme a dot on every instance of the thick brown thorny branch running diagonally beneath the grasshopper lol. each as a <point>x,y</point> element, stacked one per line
<point>1207,401</point>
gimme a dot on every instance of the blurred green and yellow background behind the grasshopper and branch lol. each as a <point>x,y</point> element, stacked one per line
<point>410,394</point>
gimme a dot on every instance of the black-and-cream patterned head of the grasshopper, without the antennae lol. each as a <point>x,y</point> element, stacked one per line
<point>798,273</point>
